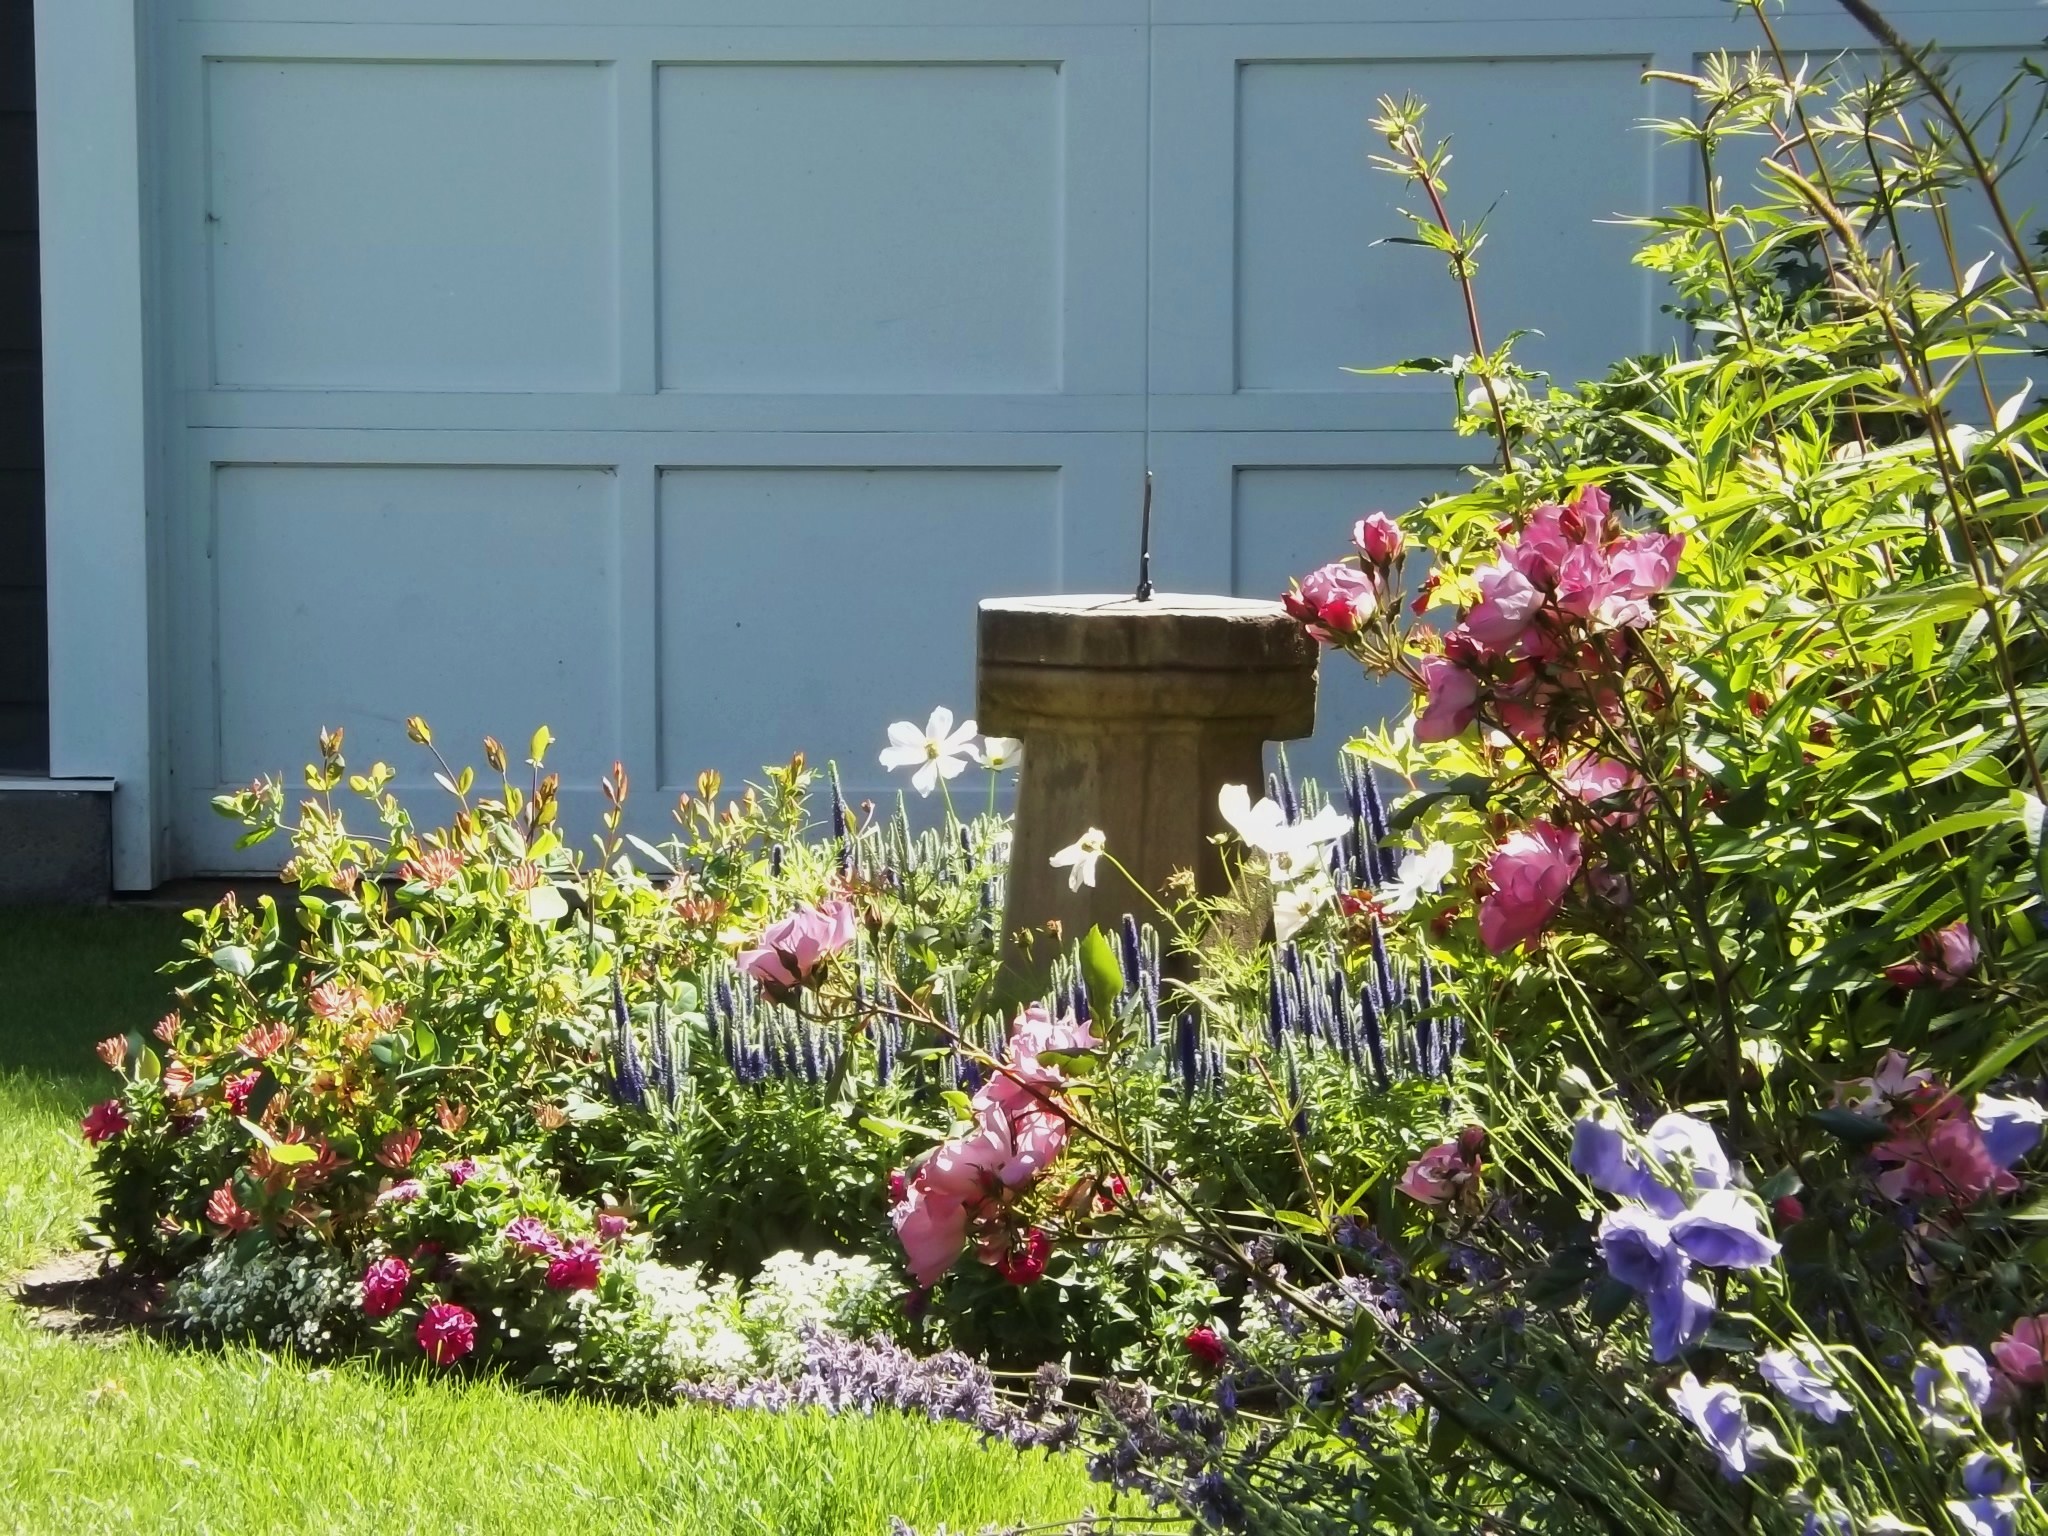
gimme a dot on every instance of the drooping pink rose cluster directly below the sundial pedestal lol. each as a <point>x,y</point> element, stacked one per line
<point>970,1183</point>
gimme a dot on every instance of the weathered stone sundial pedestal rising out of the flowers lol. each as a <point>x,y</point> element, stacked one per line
<point>1134,716</point>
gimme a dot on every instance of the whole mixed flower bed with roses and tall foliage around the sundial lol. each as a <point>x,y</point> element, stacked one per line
<point>1631,1121</point>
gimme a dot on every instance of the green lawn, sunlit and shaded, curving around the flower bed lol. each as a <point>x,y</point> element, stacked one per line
<point>144,1437</point>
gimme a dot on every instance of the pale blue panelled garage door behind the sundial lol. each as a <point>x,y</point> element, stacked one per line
<point>681,374</point>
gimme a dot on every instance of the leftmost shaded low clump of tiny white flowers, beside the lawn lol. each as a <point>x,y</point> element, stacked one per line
<point>298,1299</point>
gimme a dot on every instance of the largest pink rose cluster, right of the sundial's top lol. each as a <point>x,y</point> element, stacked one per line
<point>1529,646</point>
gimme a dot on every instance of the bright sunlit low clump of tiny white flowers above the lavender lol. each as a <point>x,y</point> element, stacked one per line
<point>724,1332</point>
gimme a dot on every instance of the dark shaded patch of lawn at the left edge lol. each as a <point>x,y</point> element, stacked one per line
<point>71,978</point>
